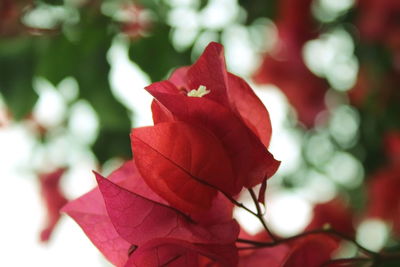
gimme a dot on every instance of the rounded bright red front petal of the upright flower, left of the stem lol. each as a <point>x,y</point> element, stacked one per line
<point>184,160</point>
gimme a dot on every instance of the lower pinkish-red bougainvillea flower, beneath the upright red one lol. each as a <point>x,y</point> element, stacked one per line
<point>132,226</point>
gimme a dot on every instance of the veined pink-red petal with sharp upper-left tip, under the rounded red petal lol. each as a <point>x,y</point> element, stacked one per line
<point>138,219</point>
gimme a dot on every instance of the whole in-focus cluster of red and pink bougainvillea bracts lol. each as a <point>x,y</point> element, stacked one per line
<point>172,204</point>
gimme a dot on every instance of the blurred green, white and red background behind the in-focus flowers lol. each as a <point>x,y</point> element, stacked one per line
<point>72,74</point>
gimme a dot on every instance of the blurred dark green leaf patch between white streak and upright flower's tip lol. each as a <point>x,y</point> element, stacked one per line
<point>155,54</point>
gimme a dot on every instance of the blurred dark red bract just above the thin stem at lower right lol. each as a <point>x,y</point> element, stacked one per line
<point>336,214</point>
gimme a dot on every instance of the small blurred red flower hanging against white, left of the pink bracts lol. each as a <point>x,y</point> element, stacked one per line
<point>54,200</point>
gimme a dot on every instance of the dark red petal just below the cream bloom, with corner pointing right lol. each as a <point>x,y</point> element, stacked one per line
<point>251,161</point>
